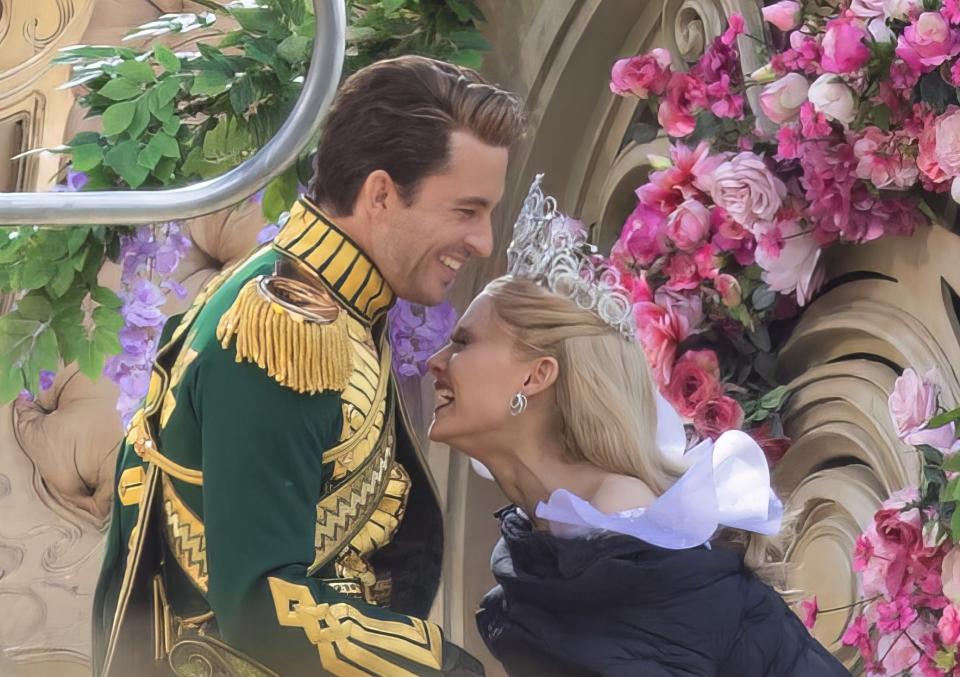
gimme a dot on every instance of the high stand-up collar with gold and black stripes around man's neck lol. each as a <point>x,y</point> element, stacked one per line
<point>314,241</point>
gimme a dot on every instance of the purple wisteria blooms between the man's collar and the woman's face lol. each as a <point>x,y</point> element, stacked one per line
<point>417,332</point>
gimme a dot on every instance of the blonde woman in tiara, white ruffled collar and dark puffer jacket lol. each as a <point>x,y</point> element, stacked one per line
<point>605,565</point>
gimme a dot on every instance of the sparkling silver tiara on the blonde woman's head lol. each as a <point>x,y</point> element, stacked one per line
<point>558,257</point>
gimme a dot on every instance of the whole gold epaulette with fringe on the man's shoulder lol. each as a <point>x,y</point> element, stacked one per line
<point>295,331</point>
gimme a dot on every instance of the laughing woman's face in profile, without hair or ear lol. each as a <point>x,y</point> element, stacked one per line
<point>477,374</point>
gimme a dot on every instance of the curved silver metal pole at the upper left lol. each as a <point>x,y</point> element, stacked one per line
<point>149,206</point>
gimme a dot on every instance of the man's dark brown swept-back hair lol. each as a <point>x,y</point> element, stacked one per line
<point>397,115</point>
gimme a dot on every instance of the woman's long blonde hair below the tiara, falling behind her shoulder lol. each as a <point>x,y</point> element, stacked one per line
<point>606,399</point>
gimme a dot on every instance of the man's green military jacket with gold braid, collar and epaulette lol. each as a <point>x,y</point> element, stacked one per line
<point>270,515</point>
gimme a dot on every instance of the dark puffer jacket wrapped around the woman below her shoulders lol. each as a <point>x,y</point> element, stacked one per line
<point>614,605</point>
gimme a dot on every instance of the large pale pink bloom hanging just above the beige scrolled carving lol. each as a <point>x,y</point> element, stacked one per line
<point>796,268</point>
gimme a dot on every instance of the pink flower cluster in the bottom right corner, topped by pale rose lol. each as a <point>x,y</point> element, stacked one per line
<point>909,567</point>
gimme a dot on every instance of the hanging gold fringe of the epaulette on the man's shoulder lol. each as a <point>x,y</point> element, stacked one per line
<point>298,353</point>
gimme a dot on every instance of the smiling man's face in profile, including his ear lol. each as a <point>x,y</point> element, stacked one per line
<point>420,247</point>
